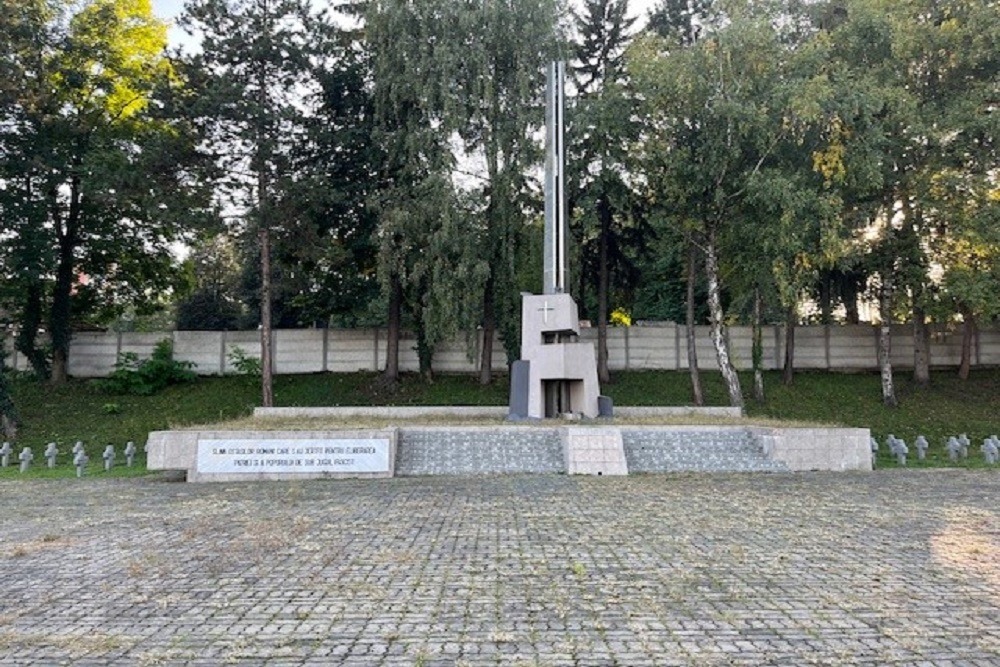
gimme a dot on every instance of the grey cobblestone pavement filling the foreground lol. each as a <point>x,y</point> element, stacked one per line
<point>890,568</point>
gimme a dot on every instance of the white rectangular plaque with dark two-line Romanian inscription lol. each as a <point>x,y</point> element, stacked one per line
<point>284,456</point>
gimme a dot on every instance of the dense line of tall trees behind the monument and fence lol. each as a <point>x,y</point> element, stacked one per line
<point>377,163</point>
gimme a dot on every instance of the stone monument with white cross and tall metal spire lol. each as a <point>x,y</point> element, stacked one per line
<point>557,374</point>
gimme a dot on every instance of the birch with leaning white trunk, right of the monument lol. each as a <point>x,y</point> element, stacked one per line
<point>718,110</point>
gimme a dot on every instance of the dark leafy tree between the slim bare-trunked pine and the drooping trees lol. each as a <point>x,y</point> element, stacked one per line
<point>335,253</point>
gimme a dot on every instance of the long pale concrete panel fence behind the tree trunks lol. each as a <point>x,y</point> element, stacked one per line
<point>648,347</point>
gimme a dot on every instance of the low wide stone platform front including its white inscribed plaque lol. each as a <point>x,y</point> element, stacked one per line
<point>537,448</point>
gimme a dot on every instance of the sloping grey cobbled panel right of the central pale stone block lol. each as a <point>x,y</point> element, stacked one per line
<point>695,449</point>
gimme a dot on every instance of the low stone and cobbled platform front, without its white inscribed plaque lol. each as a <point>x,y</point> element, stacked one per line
<point>462,450</point>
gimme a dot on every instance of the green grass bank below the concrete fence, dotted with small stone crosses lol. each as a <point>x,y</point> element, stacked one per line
<point>78,411</point>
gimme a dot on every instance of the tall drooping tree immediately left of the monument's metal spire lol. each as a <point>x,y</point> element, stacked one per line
<point>503,46</point>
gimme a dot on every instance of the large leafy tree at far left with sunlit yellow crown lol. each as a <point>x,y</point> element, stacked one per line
<point>97,173</point>
